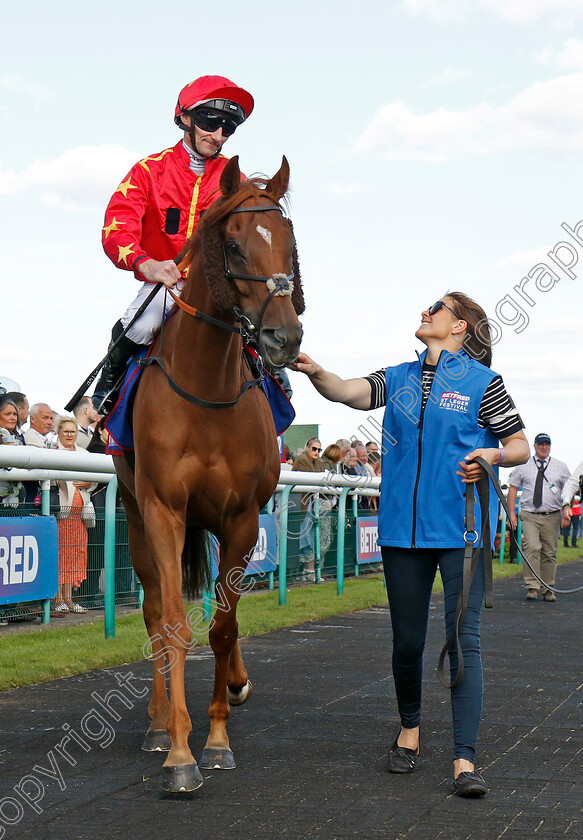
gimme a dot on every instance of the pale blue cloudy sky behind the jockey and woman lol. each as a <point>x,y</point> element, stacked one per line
<point>433,144</point>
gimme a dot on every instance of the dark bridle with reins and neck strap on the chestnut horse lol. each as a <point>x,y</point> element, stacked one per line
<point>277,285</point>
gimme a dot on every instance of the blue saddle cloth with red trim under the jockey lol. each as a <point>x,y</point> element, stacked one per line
<point>119,422</point>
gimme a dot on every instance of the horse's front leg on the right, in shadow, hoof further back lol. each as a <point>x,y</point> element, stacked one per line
<point>229,668</point>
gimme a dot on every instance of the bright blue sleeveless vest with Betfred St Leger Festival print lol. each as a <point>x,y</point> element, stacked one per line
<point>422,501</point>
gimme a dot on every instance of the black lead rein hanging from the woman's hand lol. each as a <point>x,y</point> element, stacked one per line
<point>471,558</point>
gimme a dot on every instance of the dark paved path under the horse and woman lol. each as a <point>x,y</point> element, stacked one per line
<point>311,744</point>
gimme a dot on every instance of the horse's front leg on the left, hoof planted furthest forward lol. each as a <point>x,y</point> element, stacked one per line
<point>165,537</point>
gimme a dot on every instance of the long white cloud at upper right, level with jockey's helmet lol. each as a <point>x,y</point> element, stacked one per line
<point>544,118</point>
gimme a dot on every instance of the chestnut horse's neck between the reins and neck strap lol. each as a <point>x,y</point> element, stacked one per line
<point>204,354</point>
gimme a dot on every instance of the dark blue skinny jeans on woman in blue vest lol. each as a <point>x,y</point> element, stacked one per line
<point>409,574</point>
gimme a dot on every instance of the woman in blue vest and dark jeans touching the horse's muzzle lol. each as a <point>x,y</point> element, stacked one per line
<point>458,348</point>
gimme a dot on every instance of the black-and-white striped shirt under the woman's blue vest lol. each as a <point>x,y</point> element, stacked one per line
<point>497,410</point>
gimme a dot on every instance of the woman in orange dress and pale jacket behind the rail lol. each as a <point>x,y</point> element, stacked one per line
<point>74,515</point>
